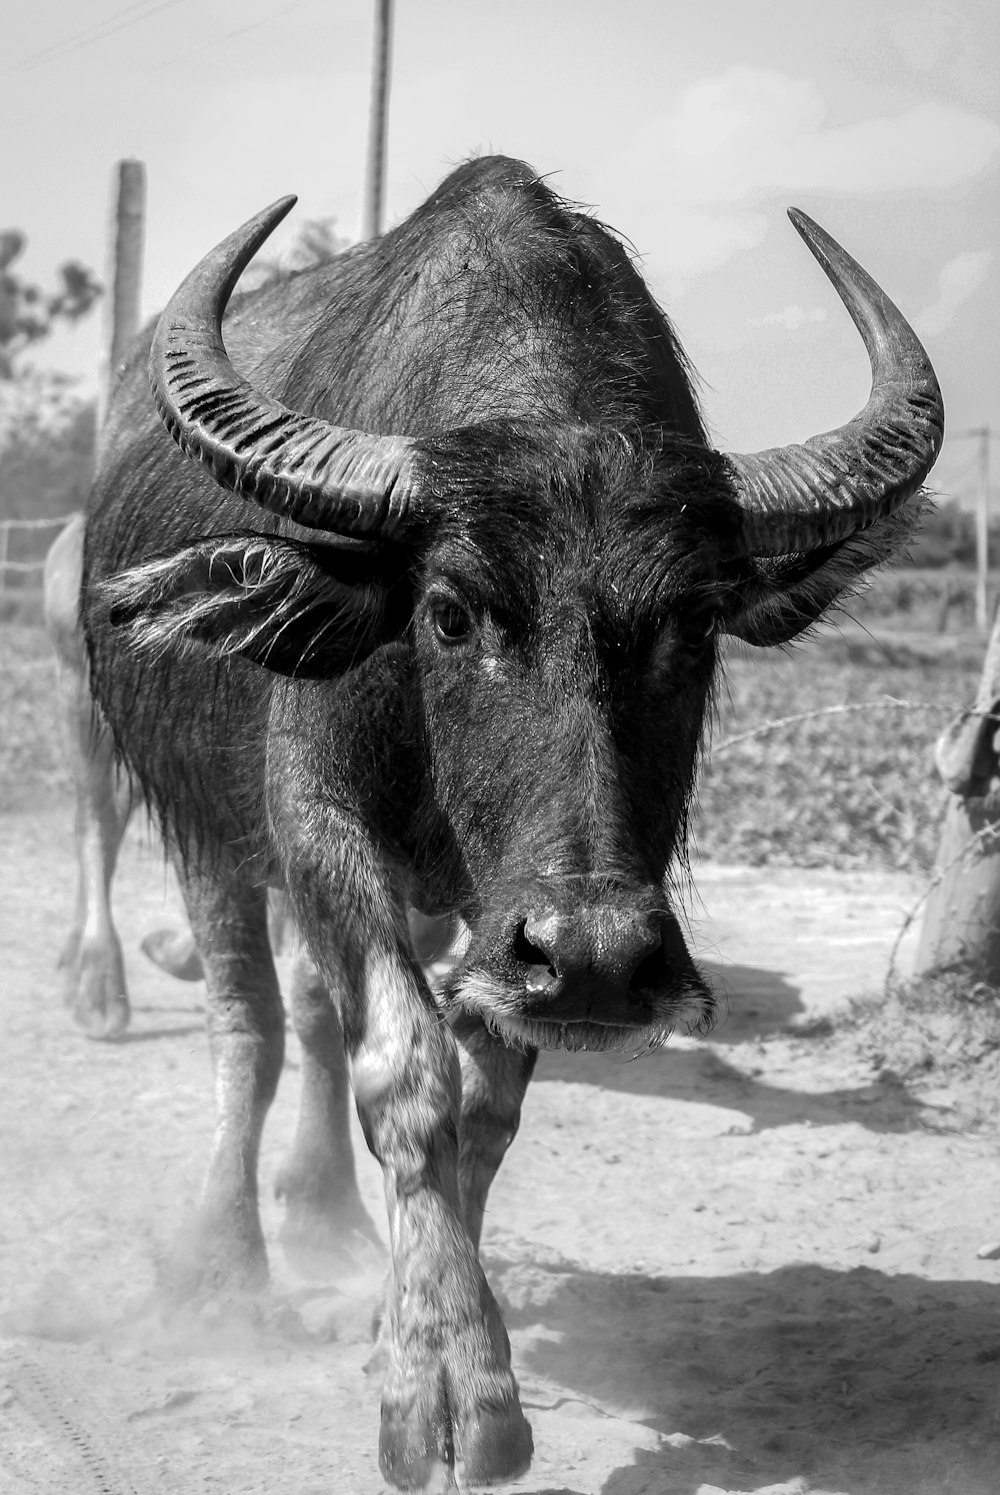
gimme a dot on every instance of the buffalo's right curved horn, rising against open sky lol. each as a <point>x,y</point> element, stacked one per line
<point>812,496</point>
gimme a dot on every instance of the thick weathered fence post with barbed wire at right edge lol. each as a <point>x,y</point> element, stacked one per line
<point>962,920</point>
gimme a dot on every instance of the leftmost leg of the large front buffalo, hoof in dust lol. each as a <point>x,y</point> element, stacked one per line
<point>225,1255</point>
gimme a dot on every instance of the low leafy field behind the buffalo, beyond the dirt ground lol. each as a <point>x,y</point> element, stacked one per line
<point>839,790</point>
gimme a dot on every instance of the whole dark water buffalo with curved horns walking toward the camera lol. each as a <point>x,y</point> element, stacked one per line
<point>448,641</point>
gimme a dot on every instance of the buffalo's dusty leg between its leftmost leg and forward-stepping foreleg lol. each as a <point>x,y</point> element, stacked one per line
<point>325,1218</point>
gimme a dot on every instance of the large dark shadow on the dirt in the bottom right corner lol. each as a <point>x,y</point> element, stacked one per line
<point>863,1382</point>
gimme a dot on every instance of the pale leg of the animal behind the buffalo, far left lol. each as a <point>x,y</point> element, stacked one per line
<point>92,959</point>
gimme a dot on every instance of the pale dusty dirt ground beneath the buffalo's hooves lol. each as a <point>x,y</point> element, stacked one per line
<point>741,1266</point>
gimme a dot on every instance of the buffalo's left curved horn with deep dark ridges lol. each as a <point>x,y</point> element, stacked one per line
<point>301,467</point>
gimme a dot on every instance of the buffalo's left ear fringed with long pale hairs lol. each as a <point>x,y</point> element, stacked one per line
<point>306,611</point>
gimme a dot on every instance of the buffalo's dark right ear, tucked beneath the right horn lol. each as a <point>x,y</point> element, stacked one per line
<point>787,596</point>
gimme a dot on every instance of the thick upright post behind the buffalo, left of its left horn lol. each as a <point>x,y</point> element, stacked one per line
<point>125,274</point>
